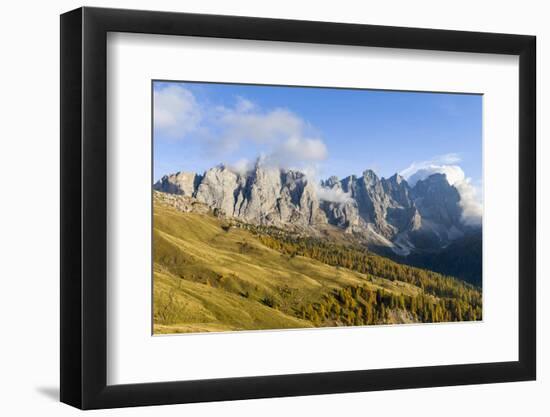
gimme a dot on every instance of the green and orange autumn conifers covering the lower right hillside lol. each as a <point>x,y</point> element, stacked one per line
<point>441,299</point>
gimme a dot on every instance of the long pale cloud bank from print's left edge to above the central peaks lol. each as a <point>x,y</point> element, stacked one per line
<point>281,135</point>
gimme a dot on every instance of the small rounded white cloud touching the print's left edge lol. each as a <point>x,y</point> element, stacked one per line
<point>176,112</point>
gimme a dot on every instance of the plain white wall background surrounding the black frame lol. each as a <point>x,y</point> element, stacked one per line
<point>29,213</point>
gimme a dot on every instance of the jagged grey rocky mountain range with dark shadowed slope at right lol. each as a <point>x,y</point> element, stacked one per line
<point>387,215</point>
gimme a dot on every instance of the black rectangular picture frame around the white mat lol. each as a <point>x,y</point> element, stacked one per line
<point>84,207</point>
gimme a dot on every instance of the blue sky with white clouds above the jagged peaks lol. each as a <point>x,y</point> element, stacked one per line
<point>336,131</point>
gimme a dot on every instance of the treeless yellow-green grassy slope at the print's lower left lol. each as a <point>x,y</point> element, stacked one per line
<point>210,279</point>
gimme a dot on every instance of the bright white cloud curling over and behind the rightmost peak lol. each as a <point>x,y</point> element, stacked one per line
<point>470,198</point>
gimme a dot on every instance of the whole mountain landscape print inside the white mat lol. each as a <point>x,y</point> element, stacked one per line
<point>279,207</point>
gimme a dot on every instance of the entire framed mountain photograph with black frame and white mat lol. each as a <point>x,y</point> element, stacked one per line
<point>257,208</point>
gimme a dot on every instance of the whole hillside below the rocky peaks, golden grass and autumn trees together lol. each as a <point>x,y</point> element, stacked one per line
<point>215,274</point>
